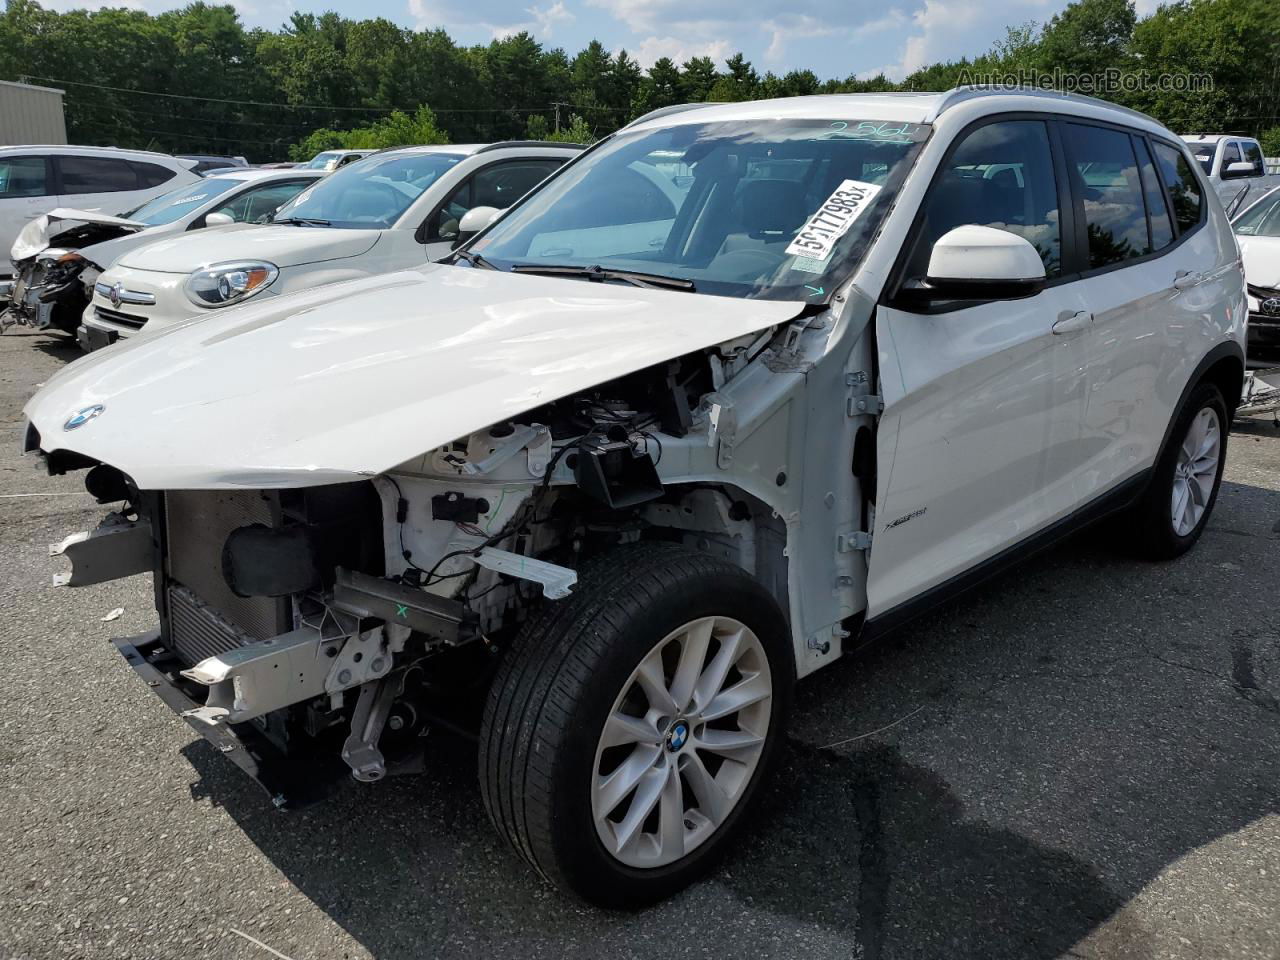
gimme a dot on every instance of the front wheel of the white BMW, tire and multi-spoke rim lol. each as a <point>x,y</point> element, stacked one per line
<point>630,728</point>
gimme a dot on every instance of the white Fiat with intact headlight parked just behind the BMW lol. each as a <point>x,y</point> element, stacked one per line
<point>397,209</point>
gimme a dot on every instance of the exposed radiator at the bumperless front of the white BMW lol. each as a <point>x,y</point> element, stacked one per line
<point>205,616</point>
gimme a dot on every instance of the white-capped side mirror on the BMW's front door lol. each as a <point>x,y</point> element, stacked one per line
<point>982,263</point>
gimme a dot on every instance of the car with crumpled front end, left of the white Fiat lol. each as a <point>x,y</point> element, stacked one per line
<point>60,257</point>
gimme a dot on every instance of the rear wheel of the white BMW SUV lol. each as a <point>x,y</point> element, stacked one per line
<point>1177,505</point>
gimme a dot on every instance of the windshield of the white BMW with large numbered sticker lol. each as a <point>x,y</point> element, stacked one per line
<point>771,209</point>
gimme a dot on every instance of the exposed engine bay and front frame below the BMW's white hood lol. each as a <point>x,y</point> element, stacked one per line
<point>346,620</point>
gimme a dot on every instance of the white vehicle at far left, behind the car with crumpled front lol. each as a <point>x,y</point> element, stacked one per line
<point>36,180</point>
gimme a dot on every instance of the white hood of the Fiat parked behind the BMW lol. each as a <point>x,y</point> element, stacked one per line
<point>284,246</point>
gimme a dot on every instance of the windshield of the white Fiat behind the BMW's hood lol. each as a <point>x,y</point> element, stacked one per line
<point>371,194</point>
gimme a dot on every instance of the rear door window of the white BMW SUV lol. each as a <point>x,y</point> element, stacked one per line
<point>1107,180</point>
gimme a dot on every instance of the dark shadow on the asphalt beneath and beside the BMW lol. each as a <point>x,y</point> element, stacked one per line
<point>1086,721</point>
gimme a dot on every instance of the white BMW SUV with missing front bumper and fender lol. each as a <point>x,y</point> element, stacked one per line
<point>609,483</point>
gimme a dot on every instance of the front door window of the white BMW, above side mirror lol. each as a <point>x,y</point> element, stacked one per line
<point>1000,176</point>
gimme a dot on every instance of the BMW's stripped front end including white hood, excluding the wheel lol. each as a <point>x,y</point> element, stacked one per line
<point>330,593</point>
